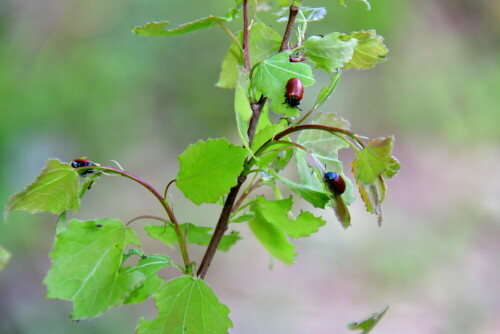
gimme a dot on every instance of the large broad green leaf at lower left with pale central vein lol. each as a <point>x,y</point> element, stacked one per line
<point>86,263</point>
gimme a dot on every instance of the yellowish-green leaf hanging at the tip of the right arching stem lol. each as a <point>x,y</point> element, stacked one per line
<point>373,160</point>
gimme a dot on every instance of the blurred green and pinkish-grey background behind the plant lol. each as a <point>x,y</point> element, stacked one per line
<point>75,81</point>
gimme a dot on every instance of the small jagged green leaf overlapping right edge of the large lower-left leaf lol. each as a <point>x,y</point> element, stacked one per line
<point>149,267</point>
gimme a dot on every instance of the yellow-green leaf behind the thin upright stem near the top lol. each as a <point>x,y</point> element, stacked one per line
<point>263,43</point>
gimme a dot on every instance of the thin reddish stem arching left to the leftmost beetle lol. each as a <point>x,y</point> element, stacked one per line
<point>160,198</point>
